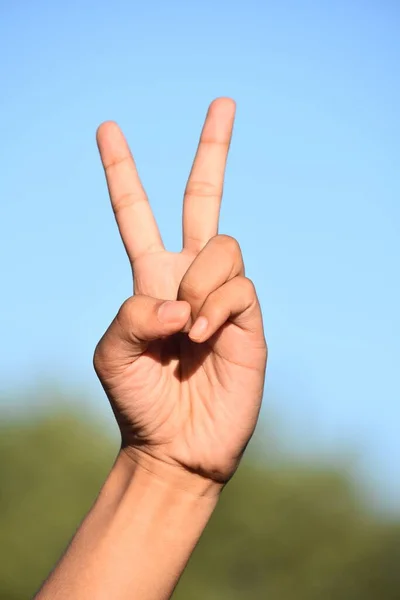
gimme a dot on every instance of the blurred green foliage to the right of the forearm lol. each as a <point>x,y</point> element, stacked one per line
<point>292,535</point>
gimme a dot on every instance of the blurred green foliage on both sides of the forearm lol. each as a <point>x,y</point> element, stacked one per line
<point>279,533</point>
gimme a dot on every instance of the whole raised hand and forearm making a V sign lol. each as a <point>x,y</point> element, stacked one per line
<point>183,365</point>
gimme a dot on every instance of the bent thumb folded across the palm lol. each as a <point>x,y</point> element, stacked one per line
<point>140,320</point>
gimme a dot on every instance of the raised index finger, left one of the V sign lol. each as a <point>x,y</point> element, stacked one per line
<point>135,219</point>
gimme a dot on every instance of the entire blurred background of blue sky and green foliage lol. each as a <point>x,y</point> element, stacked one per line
<point>312,195</point>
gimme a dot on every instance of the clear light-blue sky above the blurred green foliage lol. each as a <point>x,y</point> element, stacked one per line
<point>312,190</point>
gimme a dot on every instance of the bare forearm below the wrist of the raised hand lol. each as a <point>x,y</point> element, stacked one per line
<point>137,538</point>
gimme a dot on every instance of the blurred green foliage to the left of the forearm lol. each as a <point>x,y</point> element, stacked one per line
<point>51,470</point>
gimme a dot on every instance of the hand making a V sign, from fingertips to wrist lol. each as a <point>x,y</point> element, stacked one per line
<point>184,377</point>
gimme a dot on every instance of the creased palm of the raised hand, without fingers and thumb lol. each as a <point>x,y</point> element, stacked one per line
<point>189,403</point>
